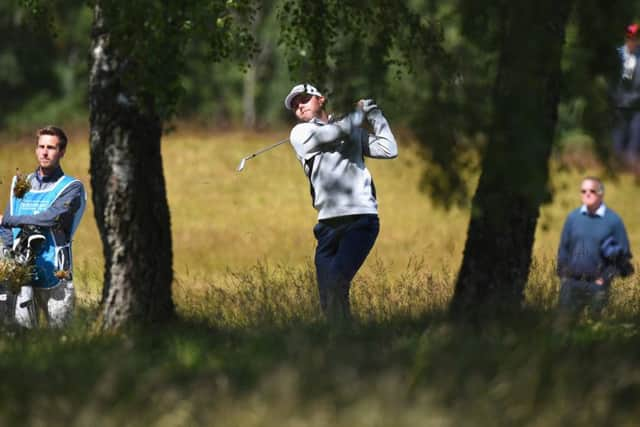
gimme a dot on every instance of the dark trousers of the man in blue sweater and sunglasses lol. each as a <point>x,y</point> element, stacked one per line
<point>577,294</point>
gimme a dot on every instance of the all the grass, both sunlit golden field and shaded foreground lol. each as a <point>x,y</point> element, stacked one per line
<point>251,348</point>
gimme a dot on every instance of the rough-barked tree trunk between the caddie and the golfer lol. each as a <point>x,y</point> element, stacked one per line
<point>129,194</point>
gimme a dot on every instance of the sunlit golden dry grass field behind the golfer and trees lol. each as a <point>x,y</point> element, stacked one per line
<point>232,231</point>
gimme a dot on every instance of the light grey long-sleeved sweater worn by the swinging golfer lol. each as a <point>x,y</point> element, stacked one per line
<point>332,155</point>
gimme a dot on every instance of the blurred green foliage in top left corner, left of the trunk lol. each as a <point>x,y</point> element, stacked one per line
<point>43,62</point>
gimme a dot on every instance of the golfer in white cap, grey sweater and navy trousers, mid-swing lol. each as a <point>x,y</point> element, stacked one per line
<point>342,191</point>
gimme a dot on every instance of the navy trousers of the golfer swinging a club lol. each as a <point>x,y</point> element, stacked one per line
<point>343,245</point>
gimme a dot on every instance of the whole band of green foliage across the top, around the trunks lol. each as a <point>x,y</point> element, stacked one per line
<point>431,65</point>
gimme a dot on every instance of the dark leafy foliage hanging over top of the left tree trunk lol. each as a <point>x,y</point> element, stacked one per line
<point>151,38</point>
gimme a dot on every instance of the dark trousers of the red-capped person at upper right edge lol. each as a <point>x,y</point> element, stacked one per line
<point>626,136</point>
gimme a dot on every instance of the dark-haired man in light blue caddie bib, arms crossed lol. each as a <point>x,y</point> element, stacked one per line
<point>53,203</point>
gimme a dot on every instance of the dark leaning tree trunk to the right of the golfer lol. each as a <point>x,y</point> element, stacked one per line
<point>514,179</point>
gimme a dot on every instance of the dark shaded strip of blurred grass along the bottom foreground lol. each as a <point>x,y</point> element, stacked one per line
<point>404,371</point>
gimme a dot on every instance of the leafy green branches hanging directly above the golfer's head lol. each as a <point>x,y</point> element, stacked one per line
<point>348,48</point>
